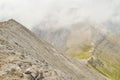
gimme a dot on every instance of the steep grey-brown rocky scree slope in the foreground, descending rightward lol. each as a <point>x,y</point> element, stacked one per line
<point>26,57</point>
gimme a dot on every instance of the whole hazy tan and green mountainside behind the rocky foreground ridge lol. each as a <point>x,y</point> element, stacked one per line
<point>97,43</point>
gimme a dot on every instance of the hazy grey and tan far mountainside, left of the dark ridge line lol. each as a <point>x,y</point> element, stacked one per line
<point>78,38</point>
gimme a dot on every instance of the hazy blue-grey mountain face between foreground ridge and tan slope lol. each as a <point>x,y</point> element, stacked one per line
<point>53,36</point>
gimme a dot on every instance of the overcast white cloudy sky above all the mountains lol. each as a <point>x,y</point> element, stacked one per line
<point>33,12</point>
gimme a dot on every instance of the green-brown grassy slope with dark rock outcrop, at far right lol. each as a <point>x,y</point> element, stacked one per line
<point>106,57</point>
